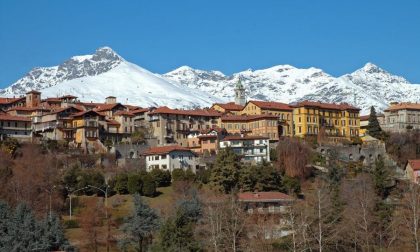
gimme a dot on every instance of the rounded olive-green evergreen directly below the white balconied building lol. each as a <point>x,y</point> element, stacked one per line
<point>226,171</point>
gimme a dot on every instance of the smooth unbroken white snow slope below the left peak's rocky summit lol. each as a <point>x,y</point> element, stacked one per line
<point>133,85</point>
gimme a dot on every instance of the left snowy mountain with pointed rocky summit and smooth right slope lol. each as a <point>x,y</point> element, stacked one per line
<point>105,73</point>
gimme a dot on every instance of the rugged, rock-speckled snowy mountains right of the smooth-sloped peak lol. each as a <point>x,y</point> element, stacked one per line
<point>365,87</point>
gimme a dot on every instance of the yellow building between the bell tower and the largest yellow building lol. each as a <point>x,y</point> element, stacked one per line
<point>283,111</point>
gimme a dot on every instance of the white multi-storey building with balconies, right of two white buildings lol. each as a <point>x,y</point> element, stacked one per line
<point>251,148</point>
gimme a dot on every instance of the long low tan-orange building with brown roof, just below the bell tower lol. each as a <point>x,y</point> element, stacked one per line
<point>254,125</point>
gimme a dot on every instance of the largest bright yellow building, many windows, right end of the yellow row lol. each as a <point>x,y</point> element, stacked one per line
<point>338,120</point>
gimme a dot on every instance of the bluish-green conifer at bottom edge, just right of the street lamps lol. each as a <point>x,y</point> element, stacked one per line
<point>140,226</point>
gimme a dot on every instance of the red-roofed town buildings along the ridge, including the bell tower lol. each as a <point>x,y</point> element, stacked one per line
<point>248,127</point>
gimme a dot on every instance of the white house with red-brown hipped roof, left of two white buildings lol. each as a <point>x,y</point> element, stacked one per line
<point>170,157</point>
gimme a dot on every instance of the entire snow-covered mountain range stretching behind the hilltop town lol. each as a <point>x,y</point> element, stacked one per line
<point>94,77</point>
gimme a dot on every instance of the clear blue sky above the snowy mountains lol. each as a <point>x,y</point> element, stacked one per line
<point>230,36</point>
